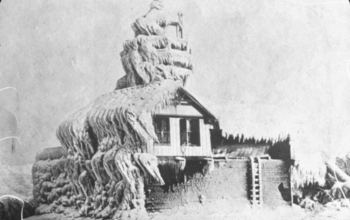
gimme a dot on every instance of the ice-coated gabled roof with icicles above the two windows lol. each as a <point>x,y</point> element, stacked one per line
<point>128,109</point>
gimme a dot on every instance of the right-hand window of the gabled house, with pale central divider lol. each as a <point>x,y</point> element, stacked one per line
<point>189,132</point>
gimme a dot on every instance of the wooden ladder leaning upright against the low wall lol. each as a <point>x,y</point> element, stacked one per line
<point>255,184</point>
